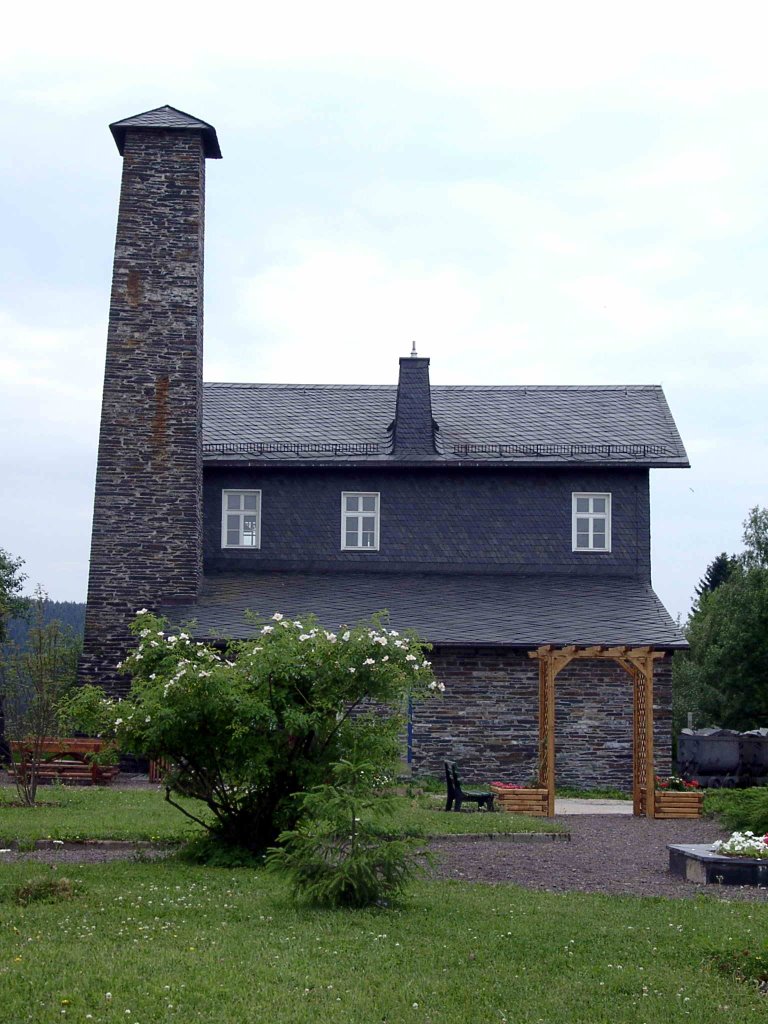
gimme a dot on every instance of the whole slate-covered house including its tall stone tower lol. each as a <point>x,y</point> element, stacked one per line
<point>493,521</point>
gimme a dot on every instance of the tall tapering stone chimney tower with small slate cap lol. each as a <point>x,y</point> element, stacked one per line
<point>147,541</point>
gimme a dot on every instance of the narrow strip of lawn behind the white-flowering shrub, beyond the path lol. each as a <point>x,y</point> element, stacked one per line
<point>92,813</point>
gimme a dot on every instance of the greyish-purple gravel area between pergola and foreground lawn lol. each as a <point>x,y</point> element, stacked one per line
<point>607,855</point>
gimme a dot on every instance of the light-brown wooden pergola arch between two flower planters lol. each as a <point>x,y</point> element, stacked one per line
<point>638,663</point>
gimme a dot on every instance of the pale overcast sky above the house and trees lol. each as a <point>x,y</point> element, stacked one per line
<point>538,194</point>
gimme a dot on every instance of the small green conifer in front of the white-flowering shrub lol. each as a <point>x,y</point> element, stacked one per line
<point>340,854</point>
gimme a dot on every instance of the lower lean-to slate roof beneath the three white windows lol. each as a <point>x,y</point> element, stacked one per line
<point>447,610</point>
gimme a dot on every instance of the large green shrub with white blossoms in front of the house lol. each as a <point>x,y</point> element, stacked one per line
<point>250,728</point>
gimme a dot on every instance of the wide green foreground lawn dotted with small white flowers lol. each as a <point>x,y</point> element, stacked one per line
<point>166,943</point>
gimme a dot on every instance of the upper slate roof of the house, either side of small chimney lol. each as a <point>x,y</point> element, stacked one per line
<point>582,425</point>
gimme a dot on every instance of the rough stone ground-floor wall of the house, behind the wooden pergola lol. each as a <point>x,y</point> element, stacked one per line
<point>489,719</point>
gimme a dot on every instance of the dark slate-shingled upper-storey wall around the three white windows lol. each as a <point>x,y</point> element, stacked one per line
<point>486,520</point>
